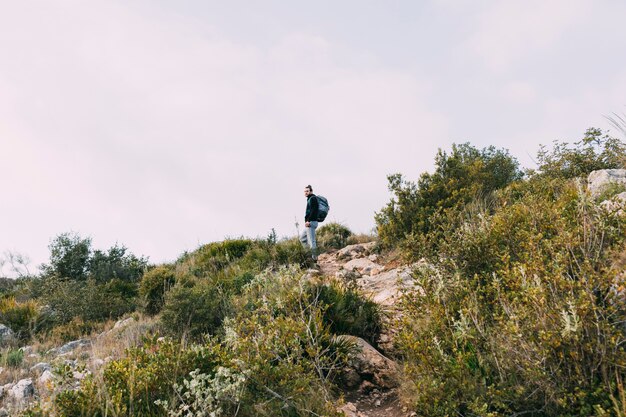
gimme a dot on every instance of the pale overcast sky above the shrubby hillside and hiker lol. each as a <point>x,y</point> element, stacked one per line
<point>162,125</point>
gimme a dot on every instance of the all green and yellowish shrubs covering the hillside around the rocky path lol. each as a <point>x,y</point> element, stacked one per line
<point>517,309</point>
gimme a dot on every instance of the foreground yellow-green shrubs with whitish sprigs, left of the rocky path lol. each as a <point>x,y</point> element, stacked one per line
<point>277,356</point>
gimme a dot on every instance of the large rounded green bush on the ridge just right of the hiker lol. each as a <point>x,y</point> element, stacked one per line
<point>418,210</point>
